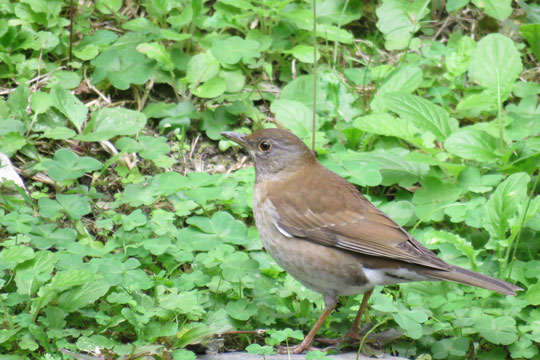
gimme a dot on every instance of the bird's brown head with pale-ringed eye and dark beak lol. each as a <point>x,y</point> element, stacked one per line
<point>277,153</point>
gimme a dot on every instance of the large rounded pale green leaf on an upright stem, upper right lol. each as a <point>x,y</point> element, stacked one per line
<point>496,64</point>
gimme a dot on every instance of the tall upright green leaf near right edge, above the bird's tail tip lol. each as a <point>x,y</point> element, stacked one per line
<point>504,204</point>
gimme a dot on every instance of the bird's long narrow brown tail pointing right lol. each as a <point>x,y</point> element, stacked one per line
<point>469,277</point>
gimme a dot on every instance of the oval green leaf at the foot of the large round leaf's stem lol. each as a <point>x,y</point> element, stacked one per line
<point>472,144</point>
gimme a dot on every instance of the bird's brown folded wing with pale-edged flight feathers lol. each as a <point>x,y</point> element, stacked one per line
<point>363,229</point>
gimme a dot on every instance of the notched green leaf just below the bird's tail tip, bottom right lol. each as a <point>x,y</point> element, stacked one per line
<point>501,330</point>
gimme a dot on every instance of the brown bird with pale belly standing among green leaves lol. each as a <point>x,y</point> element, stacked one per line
<point>322,231</point>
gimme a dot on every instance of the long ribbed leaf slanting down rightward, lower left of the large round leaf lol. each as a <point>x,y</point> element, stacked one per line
<point>422,113</point>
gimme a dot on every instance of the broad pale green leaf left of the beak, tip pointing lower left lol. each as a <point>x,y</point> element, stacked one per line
<point>107,123</point>
